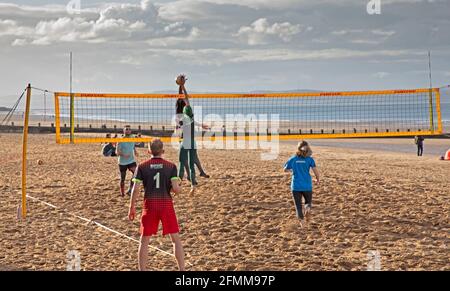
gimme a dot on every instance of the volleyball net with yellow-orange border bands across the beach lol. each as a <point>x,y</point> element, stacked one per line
<point>89,117</point>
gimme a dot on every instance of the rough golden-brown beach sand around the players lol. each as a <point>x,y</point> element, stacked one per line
<point>242,218</point>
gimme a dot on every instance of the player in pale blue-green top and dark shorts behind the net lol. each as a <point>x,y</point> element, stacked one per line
<point>127,162</point>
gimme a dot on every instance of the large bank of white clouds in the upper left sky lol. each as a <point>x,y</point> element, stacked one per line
<point>113,22</point>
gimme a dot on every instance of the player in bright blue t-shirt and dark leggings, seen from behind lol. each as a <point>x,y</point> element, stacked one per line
<point>301,184</point>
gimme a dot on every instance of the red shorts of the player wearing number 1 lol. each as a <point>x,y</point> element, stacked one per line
<point>156,210</point>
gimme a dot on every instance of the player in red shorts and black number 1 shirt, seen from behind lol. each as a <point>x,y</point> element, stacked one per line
<point>159,177</point>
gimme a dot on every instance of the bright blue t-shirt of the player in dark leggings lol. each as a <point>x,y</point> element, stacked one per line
<point>301,179</point>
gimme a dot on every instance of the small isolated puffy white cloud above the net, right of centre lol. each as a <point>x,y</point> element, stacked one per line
<point>260,30</point>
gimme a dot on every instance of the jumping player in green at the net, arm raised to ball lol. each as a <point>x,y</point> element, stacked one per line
<point>188,147</point>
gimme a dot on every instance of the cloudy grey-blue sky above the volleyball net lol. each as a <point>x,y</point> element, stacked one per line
<point>223,46</point>
